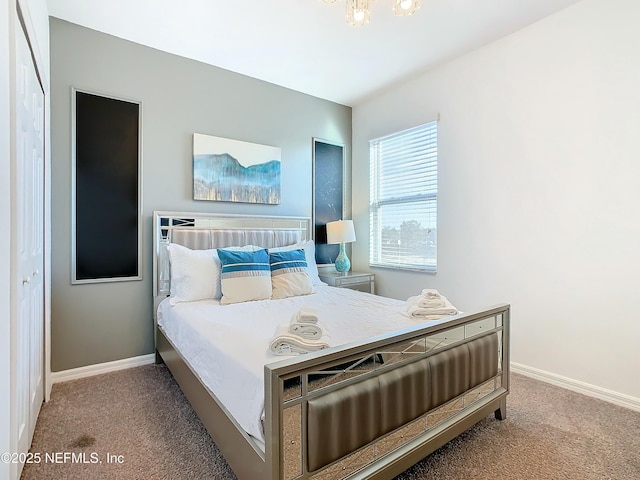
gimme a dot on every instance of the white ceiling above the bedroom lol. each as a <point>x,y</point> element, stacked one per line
<point>306,45</point>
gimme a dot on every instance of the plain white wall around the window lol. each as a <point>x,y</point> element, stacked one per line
<point>539,168</point>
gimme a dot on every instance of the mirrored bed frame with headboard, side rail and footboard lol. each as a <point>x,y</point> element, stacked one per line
<point>369,409</point>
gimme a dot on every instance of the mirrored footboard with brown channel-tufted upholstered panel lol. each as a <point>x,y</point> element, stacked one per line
<point>371,410</point>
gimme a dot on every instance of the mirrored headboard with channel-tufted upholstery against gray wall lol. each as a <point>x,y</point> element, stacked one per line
<point>201,231</point>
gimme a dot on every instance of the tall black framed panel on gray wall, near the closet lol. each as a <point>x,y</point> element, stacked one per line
<point>106,149</point>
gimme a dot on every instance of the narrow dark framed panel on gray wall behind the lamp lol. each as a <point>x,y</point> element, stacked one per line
<point>328,195</point>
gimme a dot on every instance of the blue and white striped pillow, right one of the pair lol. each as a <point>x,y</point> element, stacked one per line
<point>289,274</point>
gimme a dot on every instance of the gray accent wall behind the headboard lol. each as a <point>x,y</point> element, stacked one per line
<point>103,322</point>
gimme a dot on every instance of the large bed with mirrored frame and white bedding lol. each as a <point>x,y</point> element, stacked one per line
<point>370,406</point>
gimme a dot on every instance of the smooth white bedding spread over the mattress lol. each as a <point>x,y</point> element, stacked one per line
<point>228,346</point>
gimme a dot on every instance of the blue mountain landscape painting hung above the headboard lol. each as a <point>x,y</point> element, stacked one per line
<point>226,170</point>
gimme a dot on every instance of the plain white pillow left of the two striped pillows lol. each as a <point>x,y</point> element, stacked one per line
<point>195,274</point>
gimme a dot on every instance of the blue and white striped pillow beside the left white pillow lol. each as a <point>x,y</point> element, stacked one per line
<point>245,276</point>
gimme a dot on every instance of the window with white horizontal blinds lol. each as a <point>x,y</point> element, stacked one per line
<point>404,199</point>
